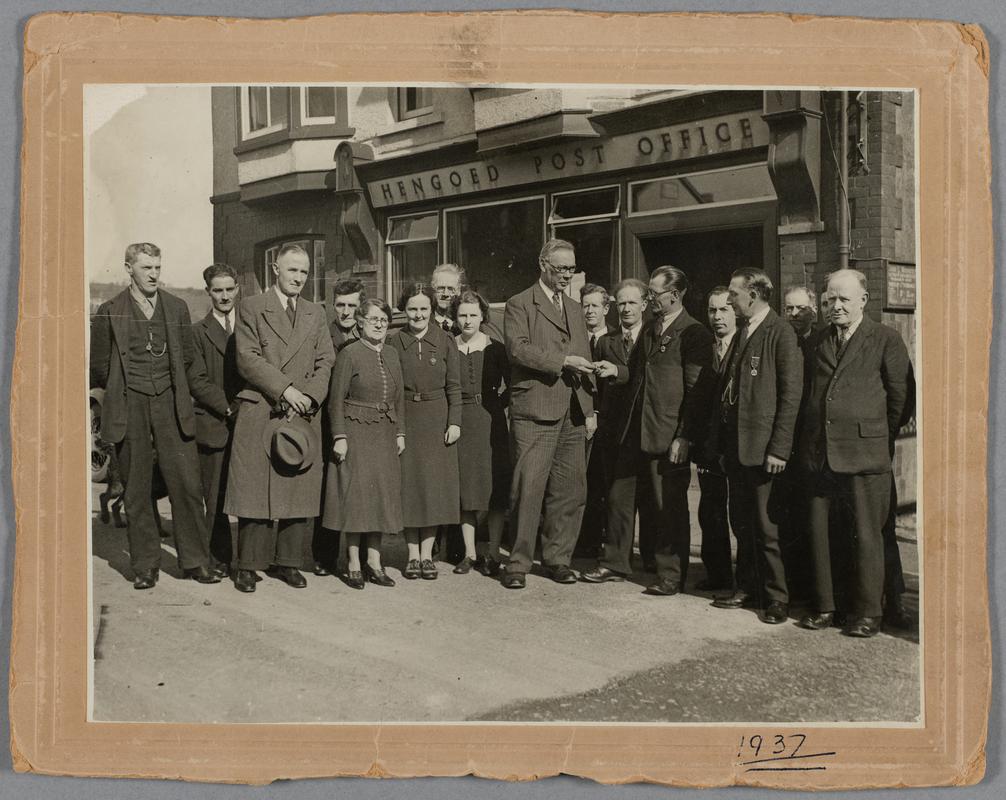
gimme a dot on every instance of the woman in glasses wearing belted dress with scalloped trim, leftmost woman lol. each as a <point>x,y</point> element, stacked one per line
<point>367,409</point>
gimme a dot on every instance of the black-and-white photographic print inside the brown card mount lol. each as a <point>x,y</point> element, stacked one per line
<point>541,404</point>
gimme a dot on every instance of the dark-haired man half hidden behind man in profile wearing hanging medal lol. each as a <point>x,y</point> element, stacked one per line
<point>713,506</point>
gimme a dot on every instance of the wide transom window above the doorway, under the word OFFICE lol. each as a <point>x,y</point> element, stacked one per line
<point>702,190</point>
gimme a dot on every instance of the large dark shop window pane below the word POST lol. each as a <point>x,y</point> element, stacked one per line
<point>498,245</point>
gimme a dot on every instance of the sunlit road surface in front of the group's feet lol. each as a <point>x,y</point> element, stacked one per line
<point>464,649</point>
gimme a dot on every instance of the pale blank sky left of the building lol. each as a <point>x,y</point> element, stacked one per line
<point>148,178</point>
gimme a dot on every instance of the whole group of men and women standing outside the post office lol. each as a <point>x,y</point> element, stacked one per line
<point>304,425</point>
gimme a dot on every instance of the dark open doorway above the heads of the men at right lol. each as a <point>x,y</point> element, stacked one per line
<point>709,258</point>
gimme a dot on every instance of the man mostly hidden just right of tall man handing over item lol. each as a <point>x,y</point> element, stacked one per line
<point>595,301</point>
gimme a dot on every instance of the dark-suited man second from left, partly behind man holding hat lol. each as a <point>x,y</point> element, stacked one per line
<point>214,337</point>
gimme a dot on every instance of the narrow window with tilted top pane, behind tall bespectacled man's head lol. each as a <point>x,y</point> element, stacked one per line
<point>590,222</point>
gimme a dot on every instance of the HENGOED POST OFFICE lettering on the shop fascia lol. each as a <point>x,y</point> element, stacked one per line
<point>706,137</point>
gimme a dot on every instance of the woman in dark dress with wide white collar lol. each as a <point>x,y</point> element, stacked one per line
<point>484,449</point>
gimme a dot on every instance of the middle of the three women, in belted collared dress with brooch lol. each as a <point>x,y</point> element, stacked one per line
<point>430,493</point>
